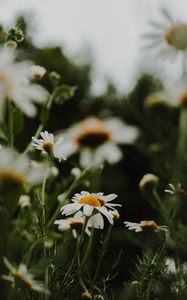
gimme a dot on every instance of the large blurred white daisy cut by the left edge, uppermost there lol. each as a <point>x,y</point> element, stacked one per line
<point>15,85</point>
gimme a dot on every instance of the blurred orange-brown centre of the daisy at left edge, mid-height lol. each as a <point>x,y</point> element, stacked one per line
<point>10,178</point>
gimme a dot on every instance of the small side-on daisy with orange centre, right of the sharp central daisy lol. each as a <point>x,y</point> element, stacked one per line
<point>143,225</point>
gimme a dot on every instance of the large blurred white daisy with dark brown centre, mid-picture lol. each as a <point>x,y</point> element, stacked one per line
<point>97,140</point>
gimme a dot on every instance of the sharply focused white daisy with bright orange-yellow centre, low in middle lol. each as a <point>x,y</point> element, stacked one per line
<point>93,205</point>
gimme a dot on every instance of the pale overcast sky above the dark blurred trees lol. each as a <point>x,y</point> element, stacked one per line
<point>111,28</point>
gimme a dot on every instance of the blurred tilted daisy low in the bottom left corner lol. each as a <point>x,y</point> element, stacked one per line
<point>20,276</point>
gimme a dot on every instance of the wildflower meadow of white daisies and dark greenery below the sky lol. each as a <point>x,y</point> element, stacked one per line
<point>93,189</point>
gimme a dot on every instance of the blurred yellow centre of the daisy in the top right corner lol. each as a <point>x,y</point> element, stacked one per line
<point>176,36</point>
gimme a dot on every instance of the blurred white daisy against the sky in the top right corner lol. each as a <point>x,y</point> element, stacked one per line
<point>169,37</point>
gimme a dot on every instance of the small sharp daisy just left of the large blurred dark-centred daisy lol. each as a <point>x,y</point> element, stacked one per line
<point>48,145</point>
